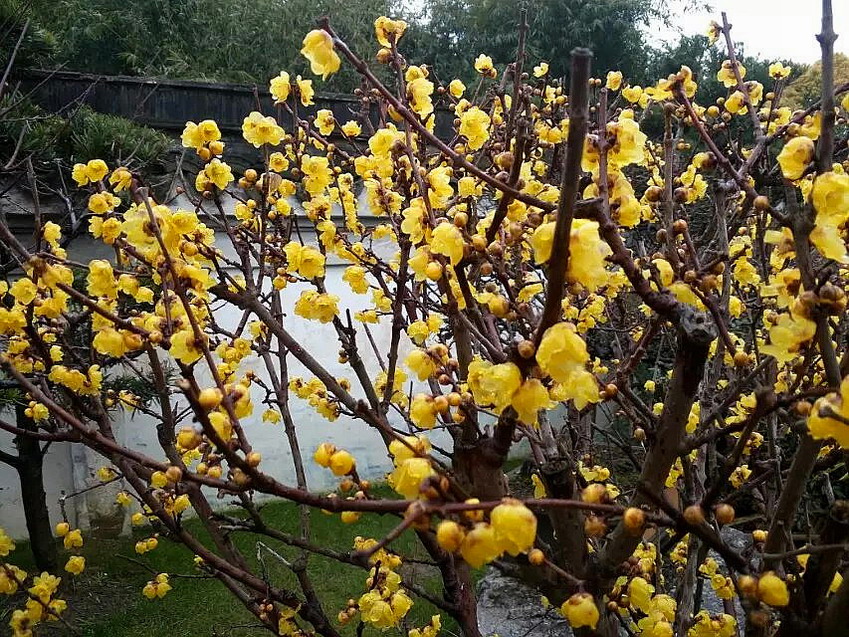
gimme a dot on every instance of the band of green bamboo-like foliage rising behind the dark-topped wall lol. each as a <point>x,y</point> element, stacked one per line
<point>251,42</point>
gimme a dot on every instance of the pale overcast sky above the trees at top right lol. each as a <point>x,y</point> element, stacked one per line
<point>773,29</point>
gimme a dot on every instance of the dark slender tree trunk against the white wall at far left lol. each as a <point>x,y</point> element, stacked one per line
<point>30,470</point>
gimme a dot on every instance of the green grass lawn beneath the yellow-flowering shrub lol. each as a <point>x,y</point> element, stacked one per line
<point>106,600</point>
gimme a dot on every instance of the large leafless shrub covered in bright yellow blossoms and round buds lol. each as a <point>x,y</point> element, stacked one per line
<point>550,274</point>
